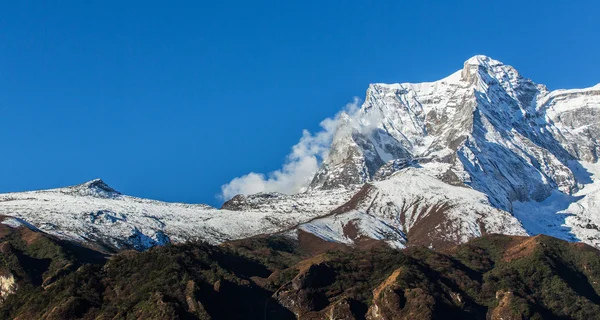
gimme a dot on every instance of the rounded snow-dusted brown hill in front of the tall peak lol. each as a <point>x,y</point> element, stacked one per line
<point>414,207</point>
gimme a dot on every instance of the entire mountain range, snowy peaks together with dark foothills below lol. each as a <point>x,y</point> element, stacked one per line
<point>434,200</point>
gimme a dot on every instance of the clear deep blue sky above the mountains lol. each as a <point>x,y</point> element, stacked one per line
<point>171,102</point>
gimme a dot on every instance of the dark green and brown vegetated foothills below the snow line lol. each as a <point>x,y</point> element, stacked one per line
<point>493,277</point>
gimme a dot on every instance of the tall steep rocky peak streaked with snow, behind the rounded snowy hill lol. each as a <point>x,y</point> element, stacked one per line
<point>487,125</point>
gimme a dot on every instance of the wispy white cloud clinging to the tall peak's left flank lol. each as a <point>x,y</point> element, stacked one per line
<point>300,166</point>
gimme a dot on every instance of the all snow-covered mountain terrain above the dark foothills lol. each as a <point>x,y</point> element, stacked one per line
<point>483,150</point>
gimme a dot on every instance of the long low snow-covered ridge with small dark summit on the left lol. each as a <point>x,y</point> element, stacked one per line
<point>95,214</point>
